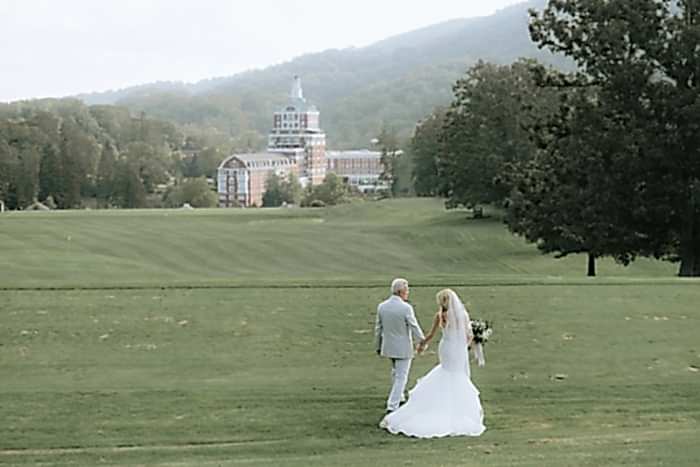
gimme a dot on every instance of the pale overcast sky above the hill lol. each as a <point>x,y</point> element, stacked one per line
<point>51,48</point>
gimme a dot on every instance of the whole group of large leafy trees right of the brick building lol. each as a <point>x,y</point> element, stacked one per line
<point>604,160</point>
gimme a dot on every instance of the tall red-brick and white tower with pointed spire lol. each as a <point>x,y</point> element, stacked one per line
<point>297,134</point>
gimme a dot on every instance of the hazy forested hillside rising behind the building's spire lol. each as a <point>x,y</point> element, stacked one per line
<point>395,81</point>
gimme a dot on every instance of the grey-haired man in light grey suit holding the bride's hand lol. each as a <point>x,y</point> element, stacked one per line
<point>394,331</point>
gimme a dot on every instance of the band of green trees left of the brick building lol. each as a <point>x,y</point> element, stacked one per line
<point>68,155</point>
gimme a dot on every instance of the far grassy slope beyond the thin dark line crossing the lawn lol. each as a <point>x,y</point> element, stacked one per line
<point>360,242</point>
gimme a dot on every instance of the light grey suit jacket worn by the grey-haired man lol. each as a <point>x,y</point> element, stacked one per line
<point>395,328</point>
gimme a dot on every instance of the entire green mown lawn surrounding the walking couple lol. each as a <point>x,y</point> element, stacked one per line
<point>242,337</point>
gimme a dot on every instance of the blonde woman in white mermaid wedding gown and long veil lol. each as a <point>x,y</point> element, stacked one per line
<point>444,402</point>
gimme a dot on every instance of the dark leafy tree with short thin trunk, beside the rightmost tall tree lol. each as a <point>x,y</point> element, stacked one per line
<point>567,198</point>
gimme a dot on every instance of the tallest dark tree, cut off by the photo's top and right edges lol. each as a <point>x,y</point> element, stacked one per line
<point>642,58</point>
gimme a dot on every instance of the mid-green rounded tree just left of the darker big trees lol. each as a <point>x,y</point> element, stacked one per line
<point>485,129</point>
